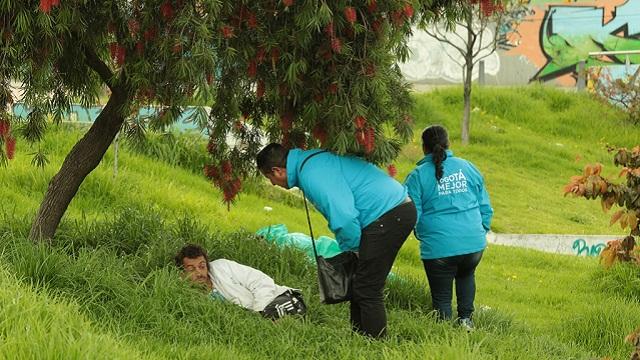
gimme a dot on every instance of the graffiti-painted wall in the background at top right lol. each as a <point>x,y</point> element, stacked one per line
<point>552,38</point>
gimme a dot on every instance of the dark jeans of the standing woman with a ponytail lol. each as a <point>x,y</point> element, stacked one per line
<point>441,273</point>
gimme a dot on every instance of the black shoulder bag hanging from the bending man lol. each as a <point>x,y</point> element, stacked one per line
<point>335,274</point>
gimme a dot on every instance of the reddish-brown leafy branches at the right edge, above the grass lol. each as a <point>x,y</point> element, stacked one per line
<point>626,195</point>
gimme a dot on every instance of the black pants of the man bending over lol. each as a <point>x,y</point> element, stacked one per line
<point>379,245</point>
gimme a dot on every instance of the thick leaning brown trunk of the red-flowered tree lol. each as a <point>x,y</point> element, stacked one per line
<point>83,158</point>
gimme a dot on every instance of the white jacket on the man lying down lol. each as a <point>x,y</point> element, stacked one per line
<point>243,285</point>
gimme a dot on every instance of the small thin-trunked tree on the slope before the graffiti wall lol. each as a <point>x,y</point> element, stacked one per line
<point>480,29</point>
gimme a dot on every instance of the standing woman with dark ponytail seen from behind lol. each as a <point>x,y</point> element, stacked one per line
<point>454,215</point>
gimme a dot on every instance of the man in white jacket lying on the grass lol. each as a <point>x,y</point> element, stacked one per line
<point>239,284</point>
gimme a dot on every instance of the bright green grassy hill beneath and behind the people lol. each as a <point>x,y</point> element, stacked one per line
<point>103,287</point>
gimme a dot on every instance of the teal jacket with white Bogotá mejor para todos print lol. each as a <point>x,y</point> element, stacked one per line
<point>454,214</point>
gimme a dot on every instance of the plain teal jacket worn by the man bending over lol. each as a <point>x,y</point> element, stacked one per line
<point>350,192</point>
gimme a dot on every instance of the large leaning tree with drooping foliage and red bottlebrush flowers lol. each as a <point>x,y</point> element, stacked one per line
<point>305,73</point>
